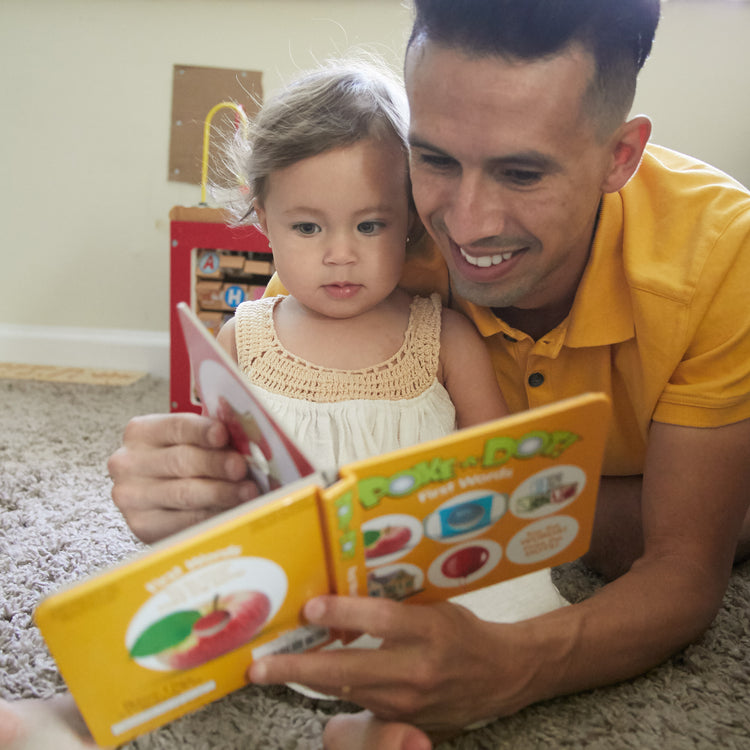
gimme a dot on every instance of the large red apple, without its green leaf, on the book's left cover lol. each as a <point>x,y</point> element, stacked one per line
<point>233,620</point>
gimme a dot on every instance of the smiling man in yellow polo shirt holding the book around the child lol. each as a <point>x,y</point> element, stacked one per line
<point>588,261</point>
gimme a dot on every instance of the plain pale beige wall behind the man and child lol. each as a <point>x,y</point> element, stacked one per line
<point>86,95</point>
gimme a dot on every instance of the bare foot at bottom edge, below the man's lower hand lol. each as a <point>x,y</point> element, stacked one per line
<point>363,731</point>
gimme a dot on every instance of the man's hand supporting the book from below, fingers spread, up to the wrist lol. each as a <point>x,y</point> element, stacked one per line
<point>436,667</point>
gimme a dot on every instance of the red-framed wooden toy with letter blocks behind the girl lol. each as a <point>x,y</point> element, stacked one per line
<point>213,267</point>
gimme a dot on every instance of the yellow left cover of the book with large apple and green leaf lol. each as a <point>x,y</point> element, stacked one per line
<point>177,627</point>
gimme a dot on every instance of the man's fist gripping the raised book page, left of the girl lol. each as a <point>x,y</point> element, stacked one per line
<point>174,470</point>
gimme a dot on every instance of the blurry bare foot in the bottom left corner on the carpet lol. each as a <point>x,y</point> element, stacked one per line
<point>43,724</point>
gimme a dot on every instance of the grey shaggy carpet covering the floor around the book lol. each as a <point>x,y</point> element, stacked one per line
<point>57,524</point>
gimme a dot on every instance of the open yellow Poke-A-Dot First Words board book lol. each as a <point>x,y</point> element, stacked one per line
<point>178,625</point>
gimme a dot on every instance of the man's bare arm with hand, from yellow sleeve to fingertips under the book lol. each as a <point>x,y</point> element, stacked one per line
<point>440,666</point>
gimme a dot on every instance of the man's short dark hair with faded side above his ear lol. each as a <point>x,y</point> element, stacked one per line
<point>617,33</point>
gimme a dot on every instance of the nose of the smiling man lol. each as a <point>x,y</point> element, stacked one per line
<point>476,210</point>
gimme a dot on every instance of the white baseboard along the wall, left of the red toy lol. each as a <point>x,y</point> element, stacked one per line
<point>101,348</point>
